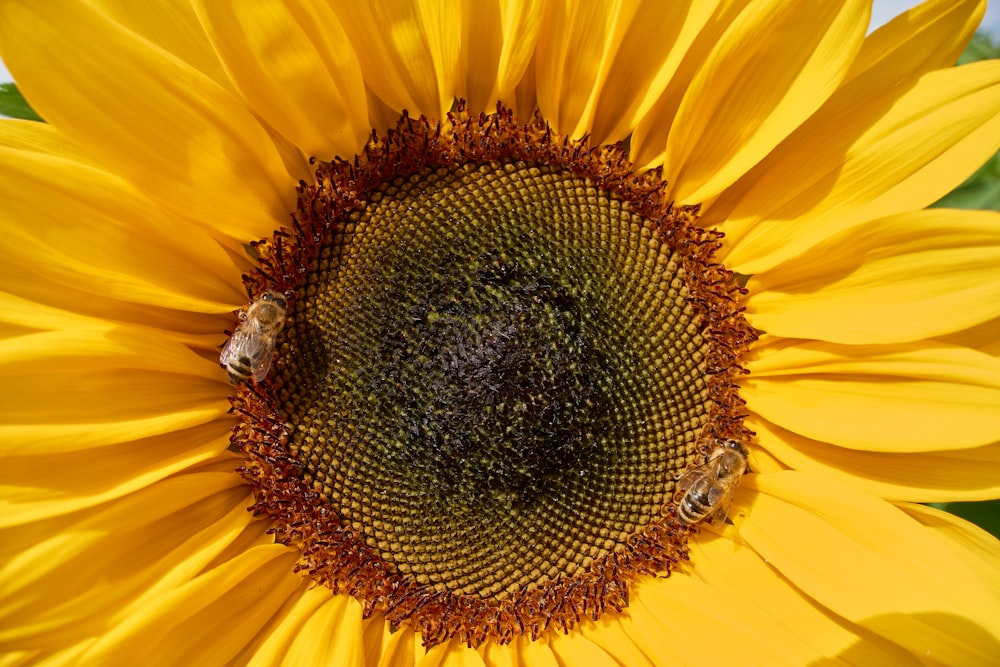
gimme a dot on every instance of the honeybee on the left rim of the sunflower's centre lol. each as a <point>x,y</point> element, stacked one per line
<point>250,349</point>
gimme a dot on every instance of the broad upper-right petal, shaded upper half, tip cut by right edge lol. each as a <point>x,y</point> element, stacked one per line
<point>863,157</point>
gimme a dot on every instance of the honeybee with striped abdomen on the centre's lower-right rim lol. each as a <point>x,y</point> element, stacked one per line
<point>706,492</point>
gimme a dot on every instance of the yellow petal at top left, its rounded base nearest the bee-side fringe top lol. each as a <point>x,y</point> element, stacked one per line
<point>296,69</point>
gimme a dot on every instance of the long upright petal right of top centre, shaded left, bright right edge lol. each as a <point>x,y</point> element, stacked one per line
<point>772,69</point>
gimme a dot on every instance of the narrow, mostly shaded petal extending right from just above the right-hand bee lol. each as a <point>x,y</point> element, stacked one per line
<point>961,474</point>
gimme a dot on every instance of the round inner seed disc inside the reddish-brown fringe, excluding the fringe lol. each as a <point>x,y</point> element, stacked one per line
<point>493,372</point>
